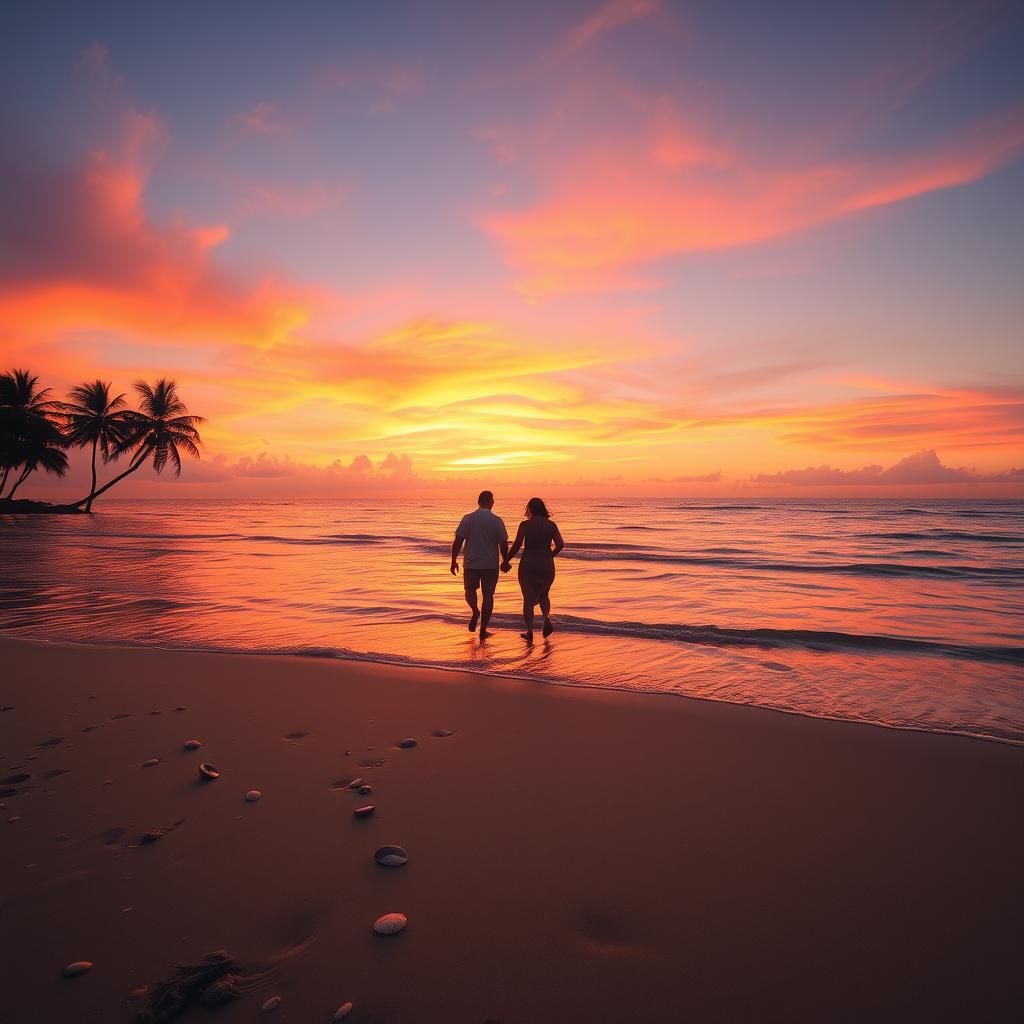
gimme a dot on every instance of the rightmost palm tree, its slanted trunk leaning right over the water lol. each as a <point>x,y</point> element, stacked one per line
<point>163,429</point>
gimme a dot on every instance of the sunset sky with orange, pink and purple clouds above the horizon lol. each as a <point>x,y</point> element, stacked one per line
<point>625,247</point>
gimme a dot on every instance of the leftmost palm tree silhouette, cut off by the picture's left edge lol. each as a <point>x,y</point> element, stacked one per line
<point>29,438</point>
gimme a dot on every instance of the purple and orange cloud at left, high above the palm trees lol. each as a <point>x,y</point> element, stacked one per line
<point>83,254</point>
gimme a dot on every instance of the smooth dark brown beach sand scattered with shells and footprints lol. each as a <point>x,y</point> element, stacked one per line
<point>574,856</point>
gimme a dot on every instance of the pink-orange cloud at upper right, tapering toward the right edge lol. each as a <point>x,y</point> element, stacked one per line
<point>625,199</point>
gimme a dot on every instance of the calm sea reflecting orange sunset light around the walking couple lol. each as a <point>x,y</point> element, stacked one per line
<point>904,615</point>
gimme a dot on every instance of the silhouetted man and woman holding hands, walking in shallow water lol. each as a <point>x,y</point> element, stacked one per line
<point>485,537</point>
